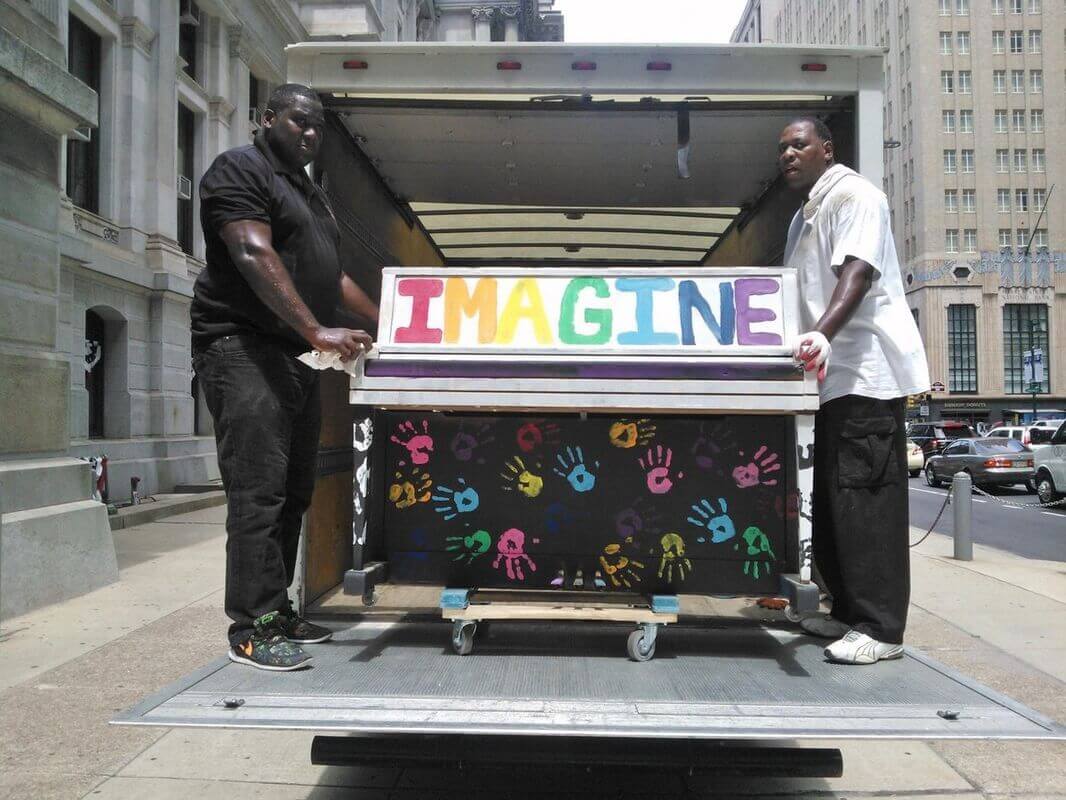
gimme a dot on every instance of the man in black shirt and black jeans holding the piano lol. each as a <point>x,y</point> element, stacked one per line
<point>270,290</point>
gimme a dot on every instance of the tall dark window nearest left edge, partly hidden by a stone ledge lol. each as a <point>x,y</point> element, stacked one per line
<point>84,158</point>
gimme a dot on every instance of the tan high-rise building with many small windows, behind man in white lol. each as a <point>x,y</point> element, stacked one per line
<point>974,90</point>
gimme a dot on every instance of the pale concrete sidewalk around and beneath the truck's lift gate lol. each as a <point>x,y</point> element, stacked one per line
<point>68,669</point>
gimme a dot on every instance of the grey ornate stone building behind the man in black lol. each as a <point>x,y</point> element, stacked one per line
<point>114,111</point>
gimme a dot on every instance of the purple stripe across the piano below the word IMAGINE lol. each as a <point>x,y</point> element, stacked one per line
<point>616,372</point>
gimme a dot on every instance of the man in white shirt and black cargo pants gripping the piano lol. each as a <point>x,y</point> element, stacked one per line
<point>841,243</point>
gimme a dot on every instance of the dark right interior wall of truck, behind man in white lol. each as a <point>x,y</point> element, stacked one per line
<point>758,237</point>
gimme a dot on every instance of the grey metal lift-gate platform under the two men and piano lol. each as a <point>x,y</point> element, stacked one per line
<point>729,682</point>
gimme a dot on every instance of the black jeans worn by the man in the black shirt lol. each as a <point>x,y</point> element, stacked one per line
<point>267,417</point>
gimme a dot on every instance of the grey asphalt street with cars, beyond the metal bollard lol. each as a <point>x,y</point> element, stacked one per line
<point>1030,533</point>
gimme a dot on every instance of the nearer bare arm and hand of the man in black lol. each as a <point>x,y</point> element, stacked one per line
<point>251,247</point>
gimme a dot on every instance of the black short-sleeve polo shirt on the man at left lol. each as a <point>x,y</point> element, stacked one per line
<point>250,183</point>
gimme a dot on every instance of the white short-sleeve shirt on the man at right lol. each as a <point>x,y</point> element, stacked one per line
<point>879,353</point>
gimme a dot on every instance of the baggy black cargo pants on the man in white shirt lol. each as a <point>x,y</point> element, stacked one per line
<point>861,525</point>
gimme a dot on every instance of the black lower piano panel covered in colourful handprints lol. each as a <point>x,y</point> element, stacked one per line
<point>652,504</point>
